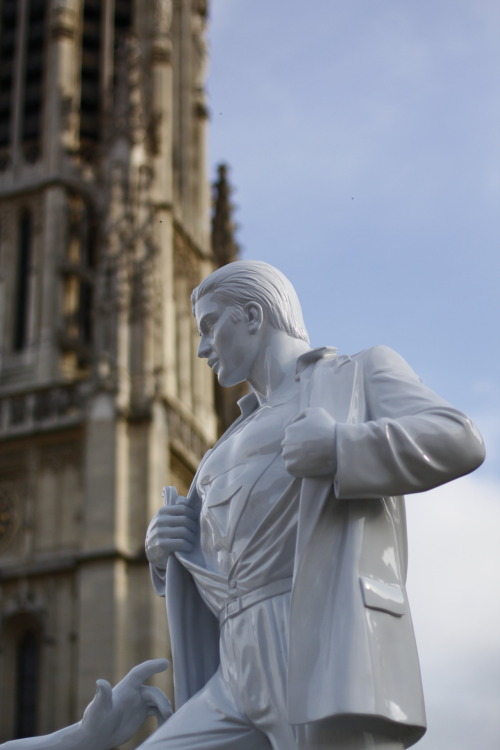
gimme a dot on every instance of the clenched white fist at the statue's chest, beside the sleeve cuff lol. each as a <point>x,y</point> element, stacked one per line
<point>309,444</point>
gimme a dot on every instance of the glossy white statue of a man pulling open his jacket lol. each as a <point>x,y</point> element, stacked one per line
<point>285,566</point>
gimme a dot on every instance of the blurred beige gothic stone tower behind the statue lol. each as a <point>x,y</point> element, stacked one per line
<point>105,229</point>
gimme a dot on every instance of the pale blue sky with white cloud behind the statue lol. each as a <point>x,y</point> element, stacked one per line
<point>364,144</point>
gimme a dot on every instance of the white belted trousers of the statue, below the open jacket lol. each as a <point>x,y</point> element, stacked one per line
<point>243,706</point>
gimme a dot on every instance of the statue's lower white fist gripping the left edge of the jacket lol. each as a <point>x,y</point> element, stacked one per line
<point>173,529</point>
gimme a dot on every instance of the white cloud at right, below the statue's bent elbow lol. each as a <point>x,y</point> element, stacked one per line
<point>453,586</point>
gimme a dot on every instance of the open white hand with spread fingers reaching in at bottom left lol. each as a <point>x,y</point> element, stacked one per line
<point>115,714</point>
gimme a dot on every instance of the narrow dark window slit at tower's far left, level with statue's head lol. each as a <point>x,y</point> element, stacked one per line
<point>21,299</point>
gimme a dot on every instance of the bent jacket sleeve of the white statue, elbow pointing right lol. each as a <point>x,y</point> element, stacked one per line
<point>412,440</point>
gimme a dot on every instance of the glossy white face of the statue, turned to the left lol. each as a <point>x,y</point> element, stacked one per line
<point>226,343</point>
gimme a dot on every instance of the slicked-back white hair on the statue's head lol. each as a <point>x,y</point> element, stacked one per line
<point>245,281</point>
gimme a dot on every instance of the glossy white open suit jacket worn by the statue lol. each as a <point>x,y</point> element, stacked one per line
<point>352,651</point>
